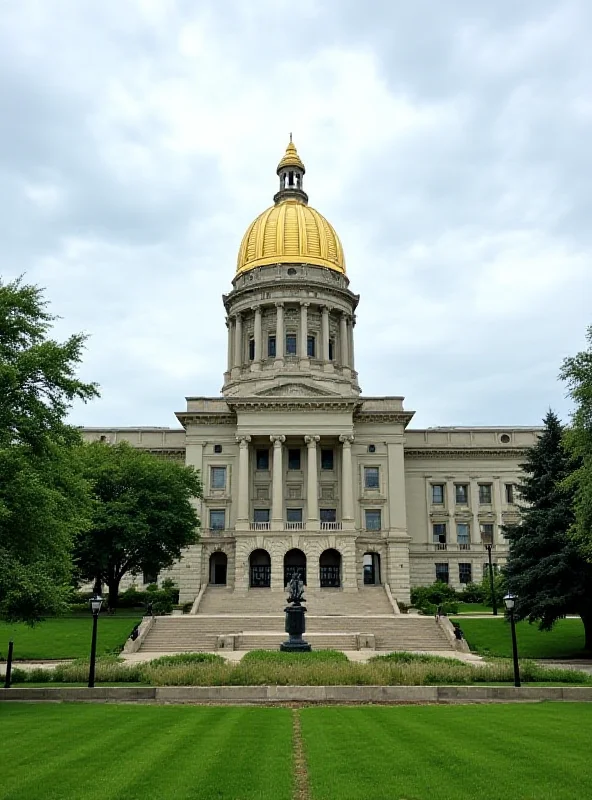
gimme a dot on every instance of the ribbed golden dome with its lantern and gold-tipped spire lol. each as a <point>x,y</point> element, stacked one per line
<point>290,232</point>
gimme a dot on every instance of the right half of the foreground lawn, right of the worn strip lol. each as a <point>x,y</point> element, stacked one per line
<point>493,752</point>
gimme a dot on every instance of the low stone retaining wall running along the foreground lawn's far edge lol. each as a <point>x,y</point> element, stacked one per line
<point>239,695</point>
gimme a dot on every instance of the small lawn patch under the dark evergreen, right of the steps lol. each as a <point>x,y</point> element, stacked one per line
<point>493,637</point>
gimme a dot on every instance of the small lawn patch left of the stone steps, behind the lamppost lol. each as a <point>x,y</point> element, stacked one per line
<point>65,637</point>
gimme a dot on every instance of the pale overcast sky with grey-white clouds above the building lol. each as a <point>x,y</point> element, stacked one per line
<point>448,143</point>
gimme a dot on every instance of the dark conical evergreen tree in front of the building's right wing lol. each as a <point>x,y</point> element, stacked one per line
<point>545,569</point>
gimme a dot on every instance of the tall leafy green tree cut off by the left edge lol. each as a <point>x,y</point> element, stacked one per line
<point>43,500</point>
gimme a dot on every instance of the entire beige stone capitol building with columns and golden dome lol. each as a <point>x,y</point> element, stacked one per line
<point>303,472</point>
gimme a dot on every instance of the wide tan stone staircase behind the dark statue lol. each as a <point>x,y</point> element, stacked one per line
<point>335,620</point>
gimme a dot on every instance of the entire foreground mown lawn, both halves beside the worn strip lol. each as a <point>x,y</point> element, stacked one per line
<point>74,751</point>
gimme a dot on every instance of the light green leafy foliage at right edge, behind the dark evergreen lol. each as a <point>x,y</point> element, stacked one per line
<point>577,373</point>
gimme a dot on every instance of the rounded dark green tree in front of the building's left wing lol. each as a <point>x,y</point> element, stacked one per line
<point>142,516</point>
